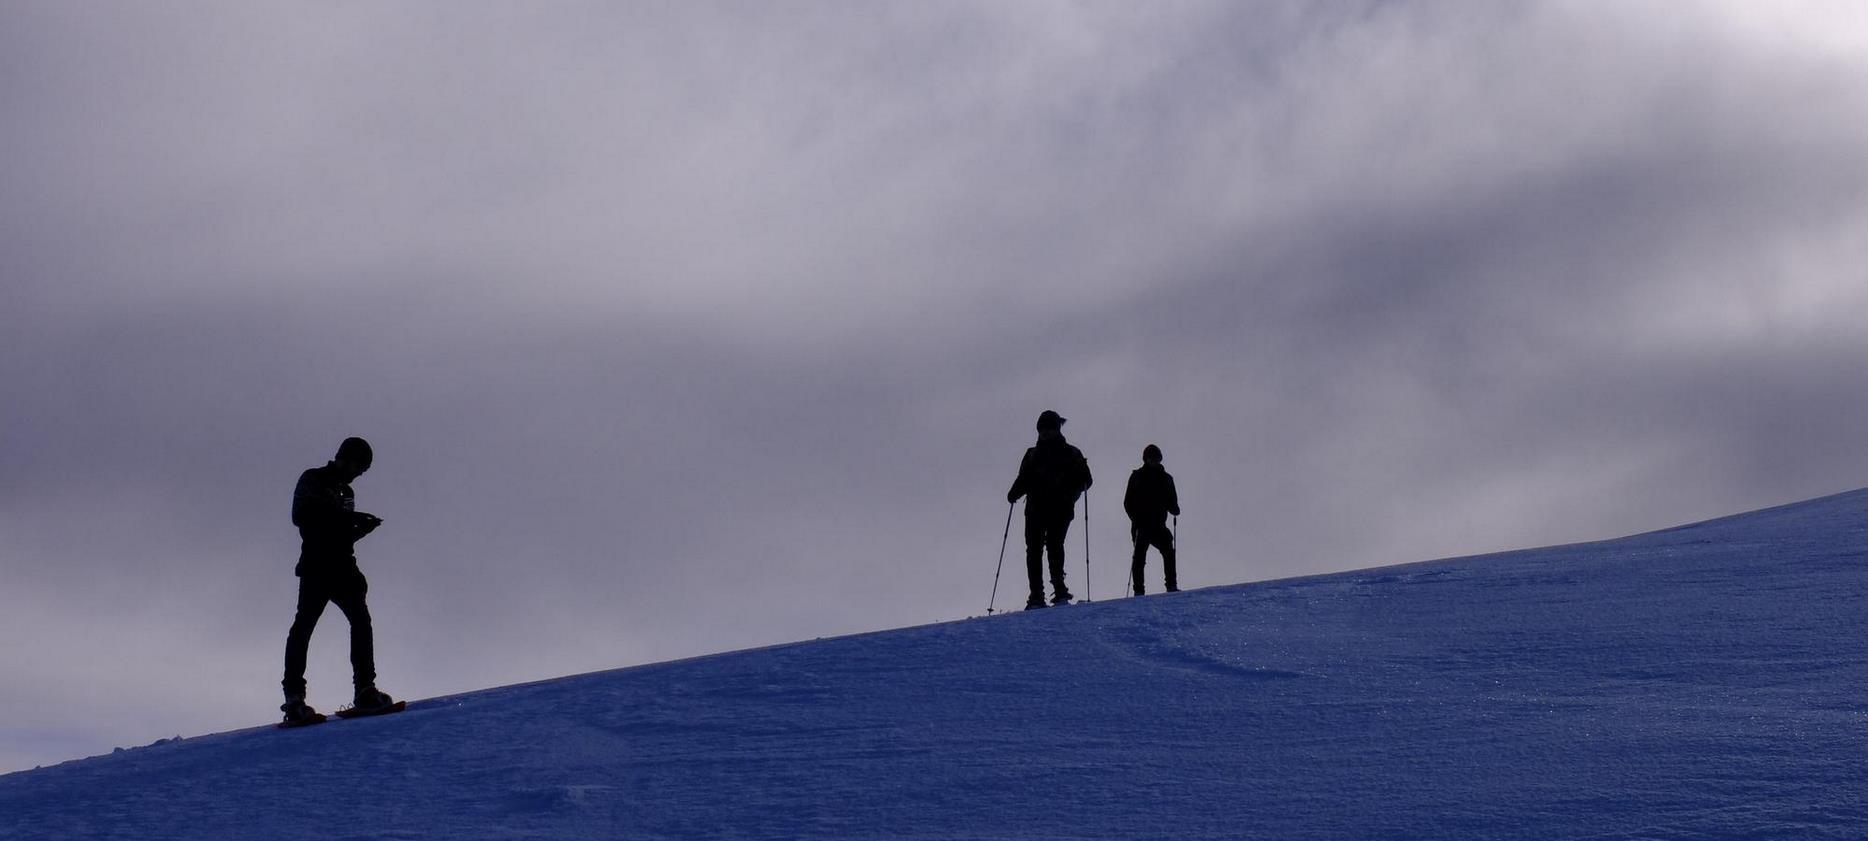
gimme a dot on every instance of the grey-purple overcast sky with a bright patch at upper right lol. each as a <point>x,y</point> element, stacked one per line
<point>685,328</point>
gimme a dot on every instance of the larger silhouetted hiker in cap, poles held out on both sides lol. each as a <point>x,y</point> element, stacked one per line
<point>1053,476</point>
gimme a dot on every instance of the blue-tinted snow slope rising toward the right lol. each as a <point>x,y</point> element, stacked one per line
<point>1693,683</point>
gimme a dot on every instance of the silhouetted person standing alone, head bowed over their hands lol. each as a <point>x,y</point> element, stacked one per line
<point>326,513</point>
